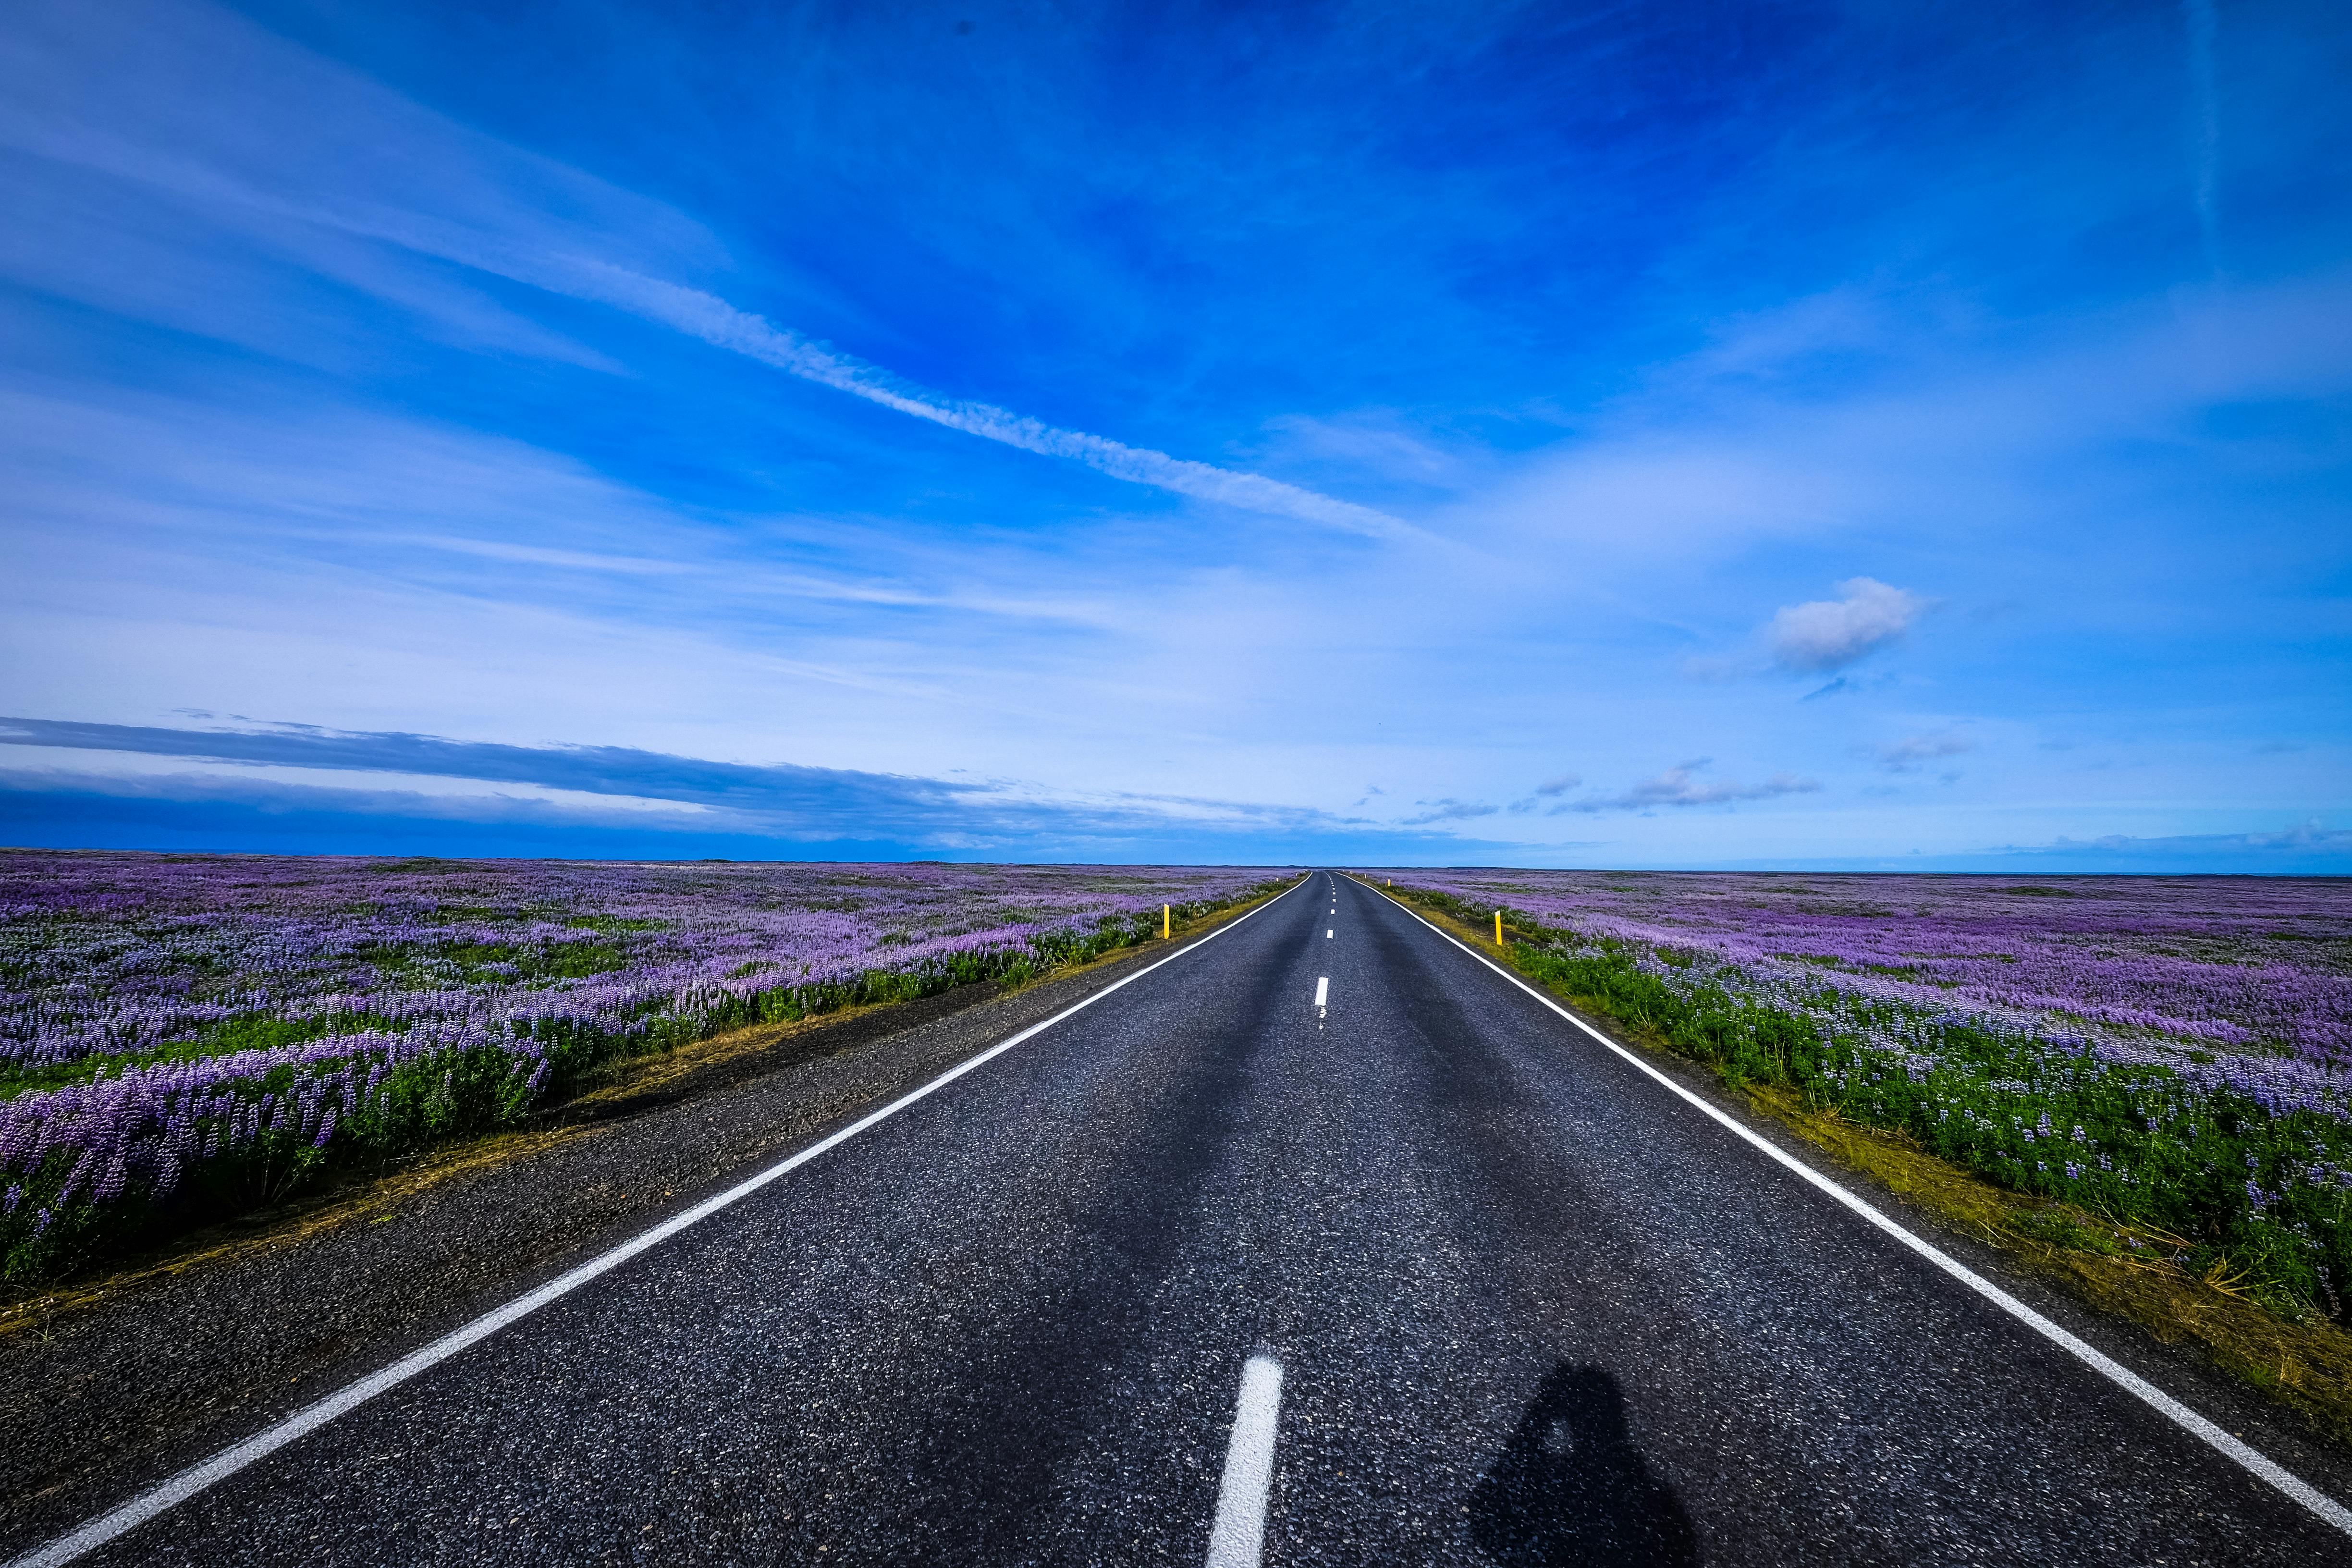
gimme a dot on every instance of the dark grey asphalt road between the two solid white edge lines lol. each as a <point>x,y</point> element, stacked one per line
<point>1516,1304</point>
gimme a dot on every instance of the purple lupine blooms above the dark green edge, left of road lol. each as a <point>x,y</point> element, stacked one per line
<point>368,963</point>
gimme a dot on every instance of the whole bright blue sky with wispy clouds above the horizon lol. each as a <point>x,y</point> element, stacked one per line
<point>1561,436</point>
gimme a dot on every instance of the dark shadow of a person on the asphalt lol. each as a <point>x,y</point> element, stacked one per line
<point>1572,1489</point>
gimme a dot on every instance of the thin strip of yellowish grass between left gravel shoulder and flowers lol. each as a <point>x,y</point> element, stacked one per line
<point>370,1193</point>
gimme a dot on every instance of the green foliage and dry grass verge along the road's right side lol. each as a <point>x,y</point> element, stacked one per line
<point>2156,1257</point>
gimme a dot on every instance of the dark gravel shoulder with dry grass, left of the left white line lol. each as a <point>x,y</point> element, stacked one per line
<point>114,1383</point>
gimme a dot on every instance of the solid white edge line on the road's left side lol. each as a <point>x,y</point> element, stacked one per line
<point>234,1459</point>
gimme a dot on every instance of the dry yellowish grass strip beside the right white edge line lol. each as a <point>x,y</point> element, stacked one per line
<point>2165,1285</point>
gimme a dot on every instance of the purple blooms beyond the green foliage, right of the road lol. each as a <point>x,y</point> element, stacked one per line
<point>2181,970</point>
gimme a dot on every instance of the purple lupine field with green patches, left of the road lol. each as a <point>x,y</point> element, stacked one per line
<point>185,1036</point>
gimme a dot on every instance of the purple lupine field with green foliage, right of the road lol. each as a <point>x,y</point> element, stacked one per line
<point>2174,1054</point>
